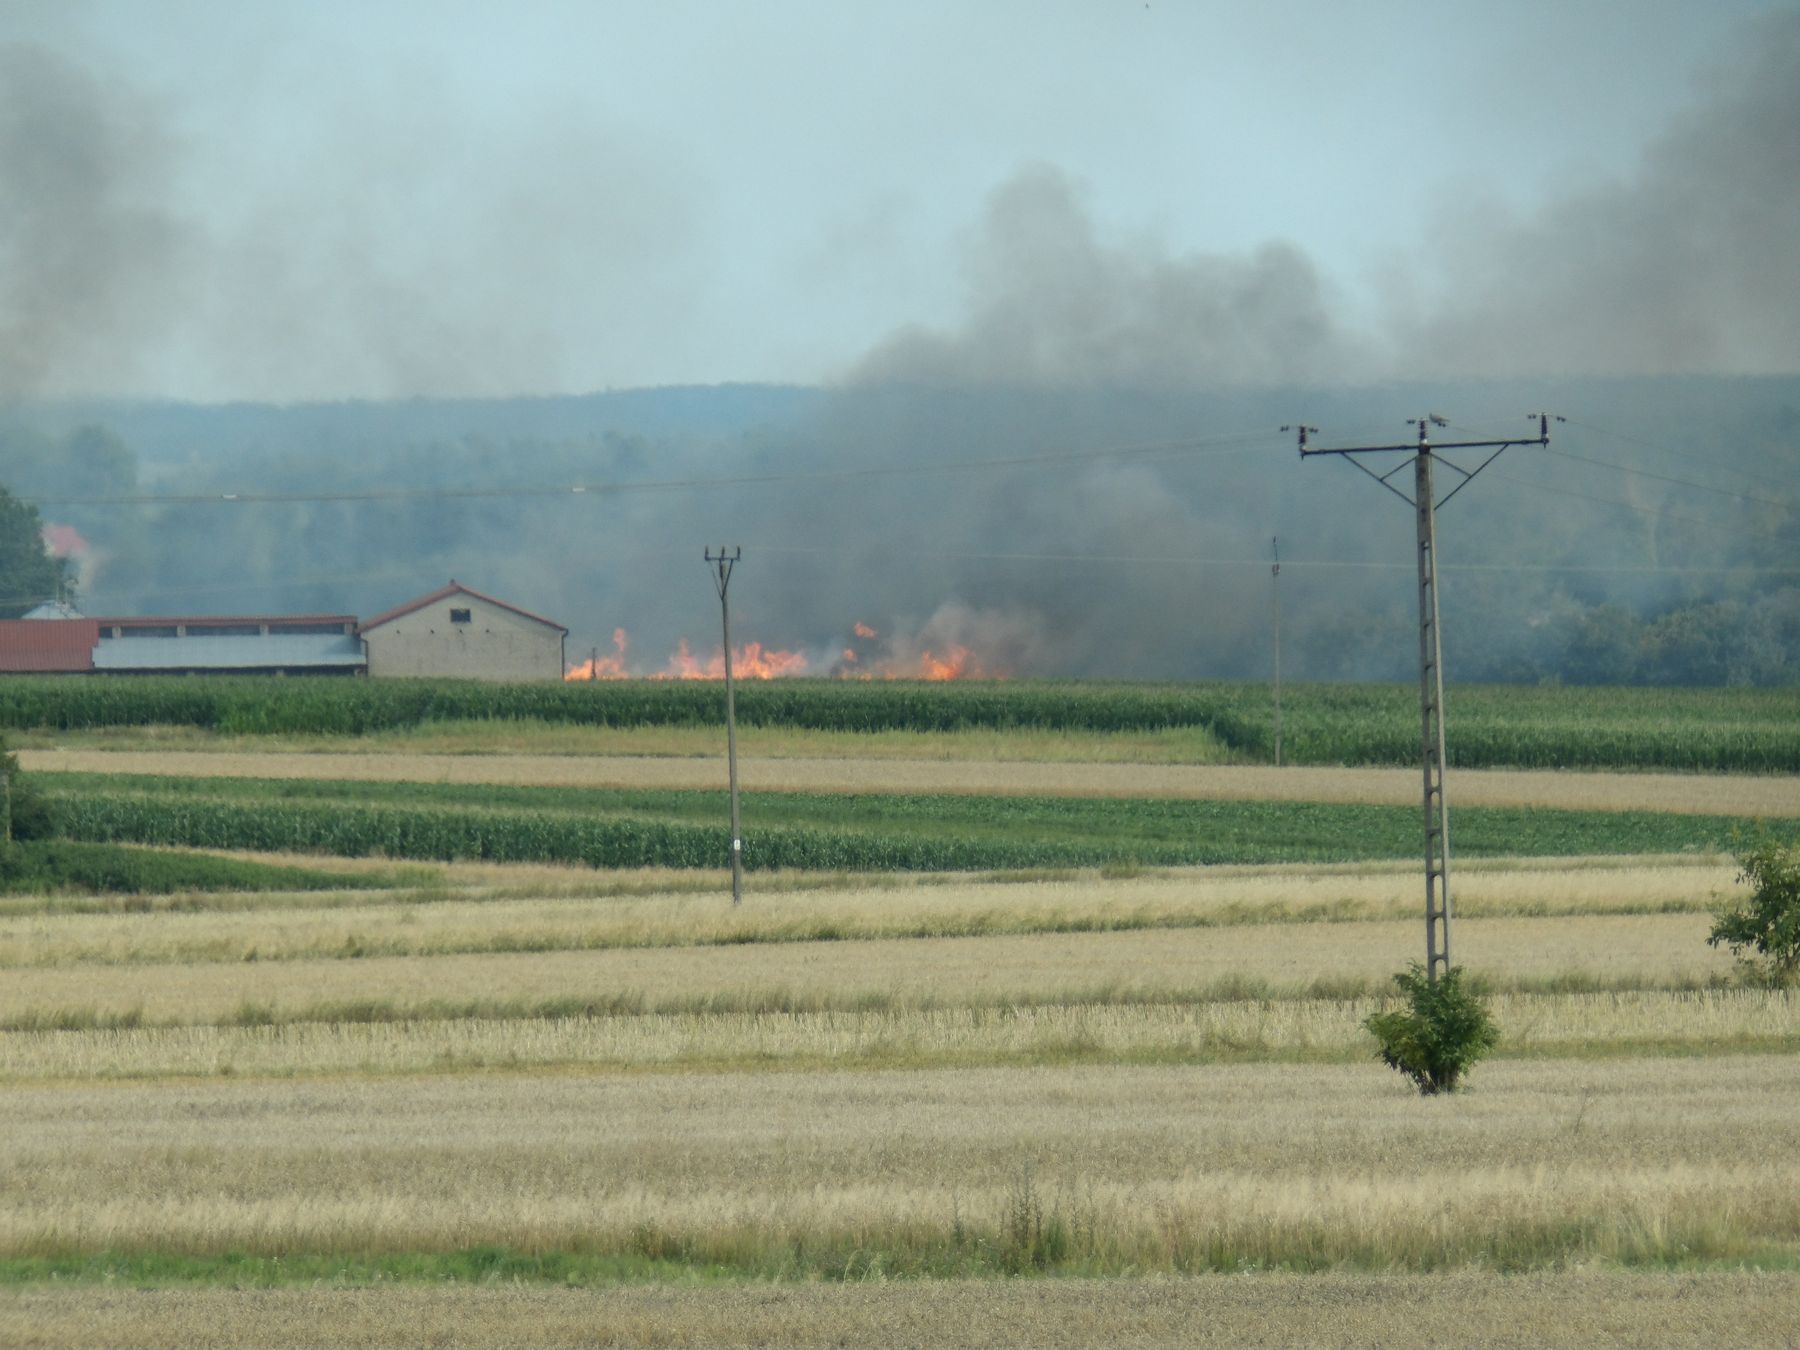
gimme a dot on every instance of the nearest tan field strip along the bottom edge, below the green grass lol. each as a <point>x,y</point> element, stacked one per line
<point>1576,1309</point>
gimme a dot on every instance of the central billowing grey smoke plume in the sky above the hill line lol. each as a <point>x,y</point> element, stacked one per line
<point>1054,307</point>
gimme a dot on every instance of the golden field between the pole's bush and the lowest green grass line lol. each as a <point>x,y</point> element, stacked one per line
<point>1147,1169</point>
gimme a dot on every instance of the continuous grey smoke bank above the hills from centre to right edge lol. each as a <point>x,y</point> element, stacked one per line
<point>1689,265</point>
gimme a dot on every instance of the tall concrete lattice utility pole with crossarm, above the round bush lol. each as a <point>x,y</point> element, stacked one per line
<point>1425,503</point>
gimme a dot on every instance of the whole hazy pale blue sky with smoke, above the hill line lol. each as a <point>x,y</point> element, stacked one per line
<point>355,199</point>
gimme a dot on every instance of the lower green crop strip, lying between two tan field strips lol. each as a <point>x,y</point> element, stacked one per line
<point>867,832</point>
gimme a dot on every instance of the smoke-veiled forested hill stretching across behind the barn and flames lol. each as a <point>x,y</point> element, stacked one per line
<point>1083,532</point>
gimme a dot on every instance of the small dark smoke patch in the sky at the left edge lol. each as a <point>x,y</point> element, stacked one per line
<point>89,253</point>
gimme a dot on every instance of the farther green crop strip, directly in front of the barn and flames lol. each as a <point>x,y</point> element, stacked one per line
<point>1491,726</point>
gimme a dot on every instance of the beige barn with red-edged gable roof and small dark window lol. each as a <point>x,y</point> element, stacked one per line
<point>463,634</point>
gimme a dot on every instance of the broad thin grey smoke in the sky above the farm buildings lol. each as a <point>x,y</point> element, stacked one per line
<point>400,253</point>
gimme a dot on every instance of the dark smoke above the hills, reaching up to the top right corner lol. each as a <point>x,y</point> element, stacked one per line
<point>1689,267</point>
